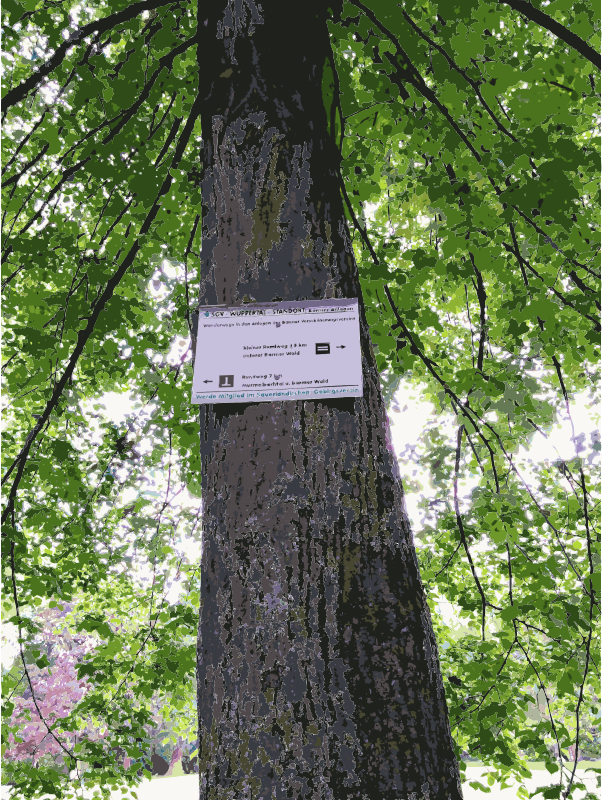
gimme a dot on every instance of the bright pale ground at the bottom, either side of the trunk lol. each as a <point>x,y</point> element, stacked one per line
<point>185,787</point>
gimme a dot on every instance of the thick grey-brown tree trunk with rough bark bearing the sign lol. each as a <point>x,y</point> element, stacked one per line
<point>318,671</point>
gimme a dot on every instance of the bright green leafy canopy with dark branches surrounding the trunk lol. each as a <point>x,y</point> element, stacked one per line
<point>469,169</point>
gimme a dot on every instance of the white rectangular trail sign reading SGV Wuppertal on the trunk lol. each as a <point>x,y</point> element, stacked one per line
<point>304,350</point>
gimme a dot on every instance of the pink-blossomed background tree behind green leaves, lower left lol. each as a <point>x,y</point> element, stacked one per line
<point>52,657</point>
